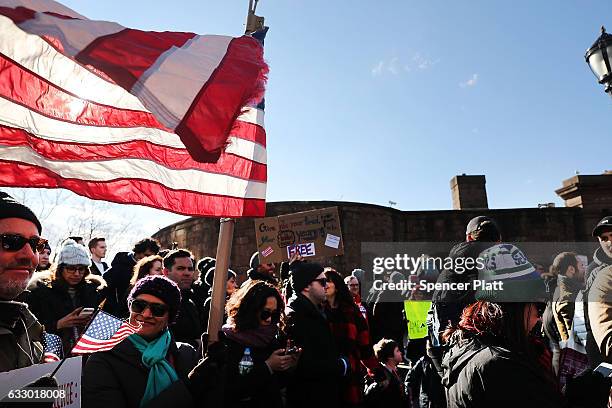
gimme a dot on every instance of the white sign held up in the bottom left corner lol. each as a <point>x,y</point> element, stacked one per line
<point>68,379</point>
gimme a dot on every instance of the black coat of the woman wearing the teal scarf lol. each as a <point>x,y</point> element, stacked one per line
<point>117,378</point>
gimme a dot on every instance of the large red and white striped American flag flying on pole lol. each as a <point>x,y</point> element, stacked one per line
<point>170,120</point>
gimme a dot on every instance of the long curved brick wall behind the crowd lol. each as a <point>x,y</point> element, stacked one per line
<point>373,223</point>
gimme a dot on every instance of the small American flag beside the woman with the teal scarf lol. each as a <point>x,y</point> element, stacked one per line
<point>104,332</point>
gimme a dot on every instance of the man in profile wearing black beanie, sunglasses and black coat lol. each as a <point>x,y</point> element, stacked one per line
<point>320,367</point>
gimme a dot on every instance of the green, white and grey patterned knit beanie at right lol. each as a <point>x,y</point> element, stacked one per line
<point>507,264</point>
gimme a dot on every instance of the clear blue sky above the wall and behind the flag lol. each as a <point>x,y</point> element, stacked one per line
<point>379,101</point>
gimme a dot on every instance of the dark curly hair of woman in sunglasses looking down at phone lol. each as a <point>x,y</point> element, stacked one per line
<point>246,303</point>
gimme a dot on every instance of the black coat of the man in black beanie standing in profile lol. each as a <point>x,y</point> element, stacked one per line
<point>315,380</point>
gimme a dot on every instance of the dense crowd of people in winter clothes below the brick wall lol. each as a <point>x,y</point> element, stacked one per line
<point>301,334</point>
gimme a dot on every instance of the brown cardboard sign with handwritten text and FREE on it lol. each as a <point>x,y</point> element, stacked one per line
<point>312,234</point>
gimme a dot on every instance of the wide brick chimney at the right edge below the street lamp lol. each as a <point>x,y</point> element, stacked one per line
<point>590,191</point>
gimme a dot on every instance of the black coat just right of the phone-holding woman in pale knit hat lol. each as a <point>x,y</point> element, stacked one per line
<point>118,281</point>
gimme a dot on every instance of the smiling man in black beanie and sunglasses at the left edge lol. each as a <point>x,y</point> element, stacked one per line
<point>20,243</point>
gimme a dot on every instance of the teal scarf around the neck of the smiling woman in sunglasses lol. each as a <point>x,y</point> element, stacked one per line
<point>161,373</point>
